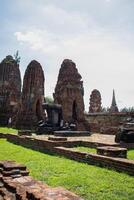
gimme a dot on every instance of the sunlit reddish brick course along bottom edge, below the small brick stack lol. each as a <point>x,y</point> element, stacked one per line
<point>28,188</point>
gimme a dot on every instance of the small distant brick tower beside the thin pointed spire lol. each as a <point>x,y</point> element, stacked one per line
<point>95,102</point>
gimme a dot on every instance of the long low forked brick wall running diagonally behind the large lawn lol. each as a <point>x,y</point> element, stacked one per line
<point>62,148</point>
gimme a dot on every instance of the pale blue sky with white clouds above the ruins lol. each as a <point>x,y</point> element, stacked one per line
<point>98,35</point>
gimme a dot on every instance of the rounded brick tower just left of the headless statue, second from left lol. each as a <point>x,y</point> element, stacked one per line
<point>32,96</point>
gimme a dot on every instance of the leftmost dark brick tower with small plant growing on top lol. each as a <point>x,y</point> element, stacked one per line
<point>10,89</point>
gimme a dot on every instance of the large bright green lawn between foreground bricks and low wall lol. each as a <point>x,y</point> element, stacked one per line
<point>90,182</point>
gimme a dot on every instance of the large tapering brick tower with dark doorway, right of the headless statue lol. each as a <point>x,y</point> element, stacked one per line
<point>69,92</point>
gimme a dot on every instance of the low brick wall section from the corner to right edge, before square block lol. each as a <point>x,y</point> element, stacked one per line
<point>119,164</point>
